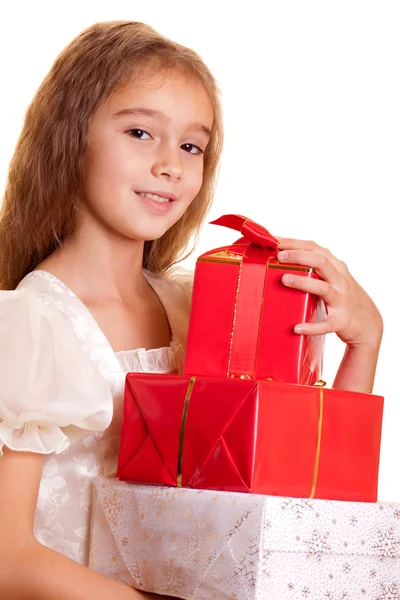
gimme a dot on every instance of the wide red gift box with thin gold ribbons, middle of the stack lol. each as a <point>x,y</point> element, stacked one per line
<point>250,436</point>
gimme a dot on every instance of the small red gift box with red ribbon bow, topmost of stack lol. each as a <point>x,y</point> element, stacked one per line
<point>242,315</point>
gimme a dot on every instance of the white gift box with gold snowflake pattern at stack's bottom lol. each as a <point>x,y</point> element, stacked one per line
<point>200,544</point>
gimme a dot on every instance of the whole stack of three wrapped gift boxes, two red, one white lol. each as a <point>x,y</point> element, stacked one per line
<point>250,415</point>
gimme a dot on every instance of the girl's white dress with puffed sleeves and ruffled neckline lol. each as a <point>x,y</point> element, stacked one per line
<point>61,394</point>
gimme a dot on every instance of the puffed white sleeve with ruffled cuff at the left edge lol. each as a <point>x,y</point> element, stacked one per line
<point>51,394</point>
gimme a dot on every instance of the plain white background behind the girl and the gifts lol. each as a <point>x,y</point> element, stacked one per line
<point>311,97</point>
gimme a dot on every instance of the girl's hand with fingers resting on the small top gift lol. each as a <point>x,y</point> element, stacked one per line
<point>351,313</point>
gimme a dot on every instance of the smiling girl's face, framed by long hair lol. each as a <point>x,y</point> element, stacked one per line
<point>144,159</point>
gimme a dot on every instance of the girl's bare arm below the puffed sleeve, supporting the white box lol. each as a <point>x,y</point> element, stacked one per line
<point>28,570</point>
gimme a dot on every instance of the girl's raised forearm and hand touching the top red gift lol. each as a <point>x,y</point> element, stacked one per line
<point>351,314</point>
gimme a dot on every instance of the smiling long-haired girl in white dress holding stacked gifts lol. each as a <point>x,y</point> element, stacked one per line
<point>113,174</point>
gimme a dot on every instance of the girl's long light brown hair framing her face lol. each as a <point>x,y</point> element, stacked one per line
<point>45,176</point>
